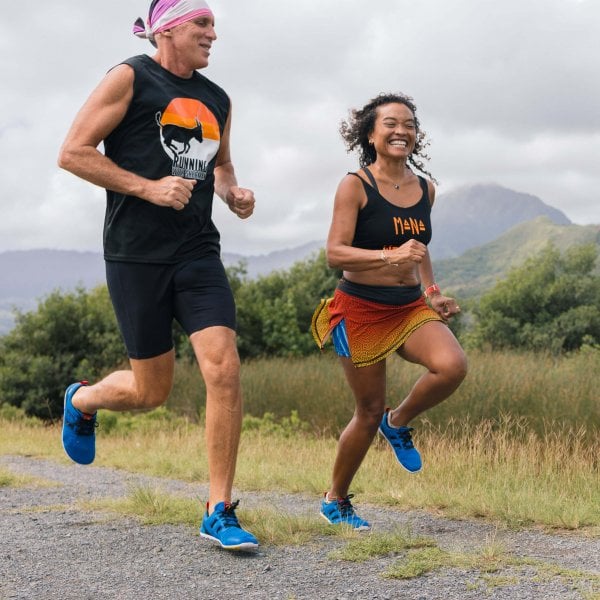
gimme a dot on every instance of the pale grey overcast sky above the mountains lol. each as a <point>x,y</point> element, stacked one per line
<point>508,92</point>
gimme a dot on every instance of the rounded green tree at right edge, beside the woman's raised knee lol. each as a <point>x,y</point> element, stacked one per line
<point>551,303</point>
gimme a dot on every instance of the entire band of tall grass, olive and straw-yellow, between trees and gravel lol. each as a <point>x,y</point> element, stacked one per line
<point>518,443</point>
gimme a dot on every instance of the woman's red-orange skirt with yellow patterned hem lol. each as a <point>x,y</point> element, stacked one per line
<point>374,330</point>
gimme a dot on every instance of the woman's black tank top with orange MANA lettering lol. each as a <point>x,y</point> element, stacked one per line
<point>381,224</point>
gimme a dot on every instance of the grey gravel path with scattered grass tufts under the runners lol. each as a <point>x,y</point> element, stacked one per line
<point>117,534</point>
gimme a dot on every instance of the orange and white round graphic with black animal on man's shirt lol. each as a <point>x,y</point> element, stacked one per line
<point>190,135</point>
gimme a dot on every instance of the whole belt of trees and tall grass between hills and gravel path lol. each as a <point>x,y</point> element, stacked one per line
<point>517,444</point>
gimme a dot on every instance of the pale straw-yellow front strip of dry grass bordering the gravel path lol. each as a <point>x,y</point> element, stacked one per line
<point>501,471</point>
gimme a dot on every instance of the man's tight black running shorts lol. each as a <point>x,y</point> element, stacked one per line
<point>147,297</point>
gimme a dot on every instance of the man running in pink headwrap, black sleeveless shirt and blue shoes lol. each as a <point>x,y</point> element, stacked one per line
<point>166,130</point>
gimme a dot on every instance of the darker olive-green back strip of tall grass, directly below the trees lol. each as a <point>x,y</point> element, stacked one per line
<point>547,392</point>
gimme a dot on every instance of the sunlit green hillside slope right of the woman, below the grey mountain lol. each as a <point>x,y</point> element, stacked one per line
<point>478,269</point>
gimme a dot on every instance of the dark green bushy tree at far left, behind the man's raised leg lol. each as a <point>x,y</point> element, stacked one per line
<point>69,337</point>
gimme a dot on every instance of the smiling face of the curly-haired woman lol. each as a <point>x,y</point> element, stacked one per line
<point>395,131</point>
